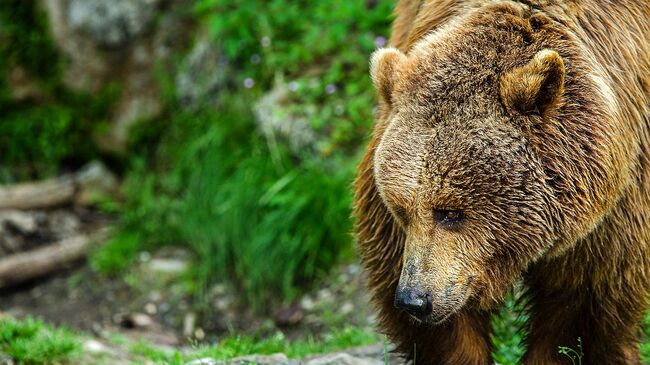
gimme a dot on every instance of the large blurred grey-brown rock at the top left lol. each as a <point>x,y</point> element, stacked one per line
<point>123,42</point>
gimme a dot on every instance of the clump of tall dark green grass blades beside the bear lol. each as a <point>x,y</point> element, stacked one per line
<point>270,225</point>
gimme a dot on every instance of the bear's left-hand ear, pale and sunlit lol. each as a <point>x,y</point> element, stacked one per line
<point>384,66</point>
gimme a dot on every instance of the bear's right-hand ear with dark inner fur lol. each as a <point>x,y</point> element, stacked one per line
<point>536,86</point>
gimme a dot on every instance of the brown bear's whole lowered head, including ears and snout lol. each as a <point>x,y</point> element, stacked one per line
<point>469,111</point>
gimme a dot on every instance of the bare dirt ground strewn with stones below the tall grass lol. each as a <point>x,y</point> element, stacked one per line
<point>151,301</point>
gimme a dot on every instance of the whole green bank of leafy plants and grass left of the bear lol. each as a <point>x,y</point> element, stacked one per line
<point>267,220</point>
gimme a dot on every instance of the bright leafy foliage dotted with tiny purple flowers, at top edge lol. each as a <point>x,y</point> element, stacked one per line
<point>322,46</point>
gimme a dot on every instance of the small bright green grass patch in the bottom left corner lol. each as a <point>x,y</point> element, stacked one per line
<point>30,341</point>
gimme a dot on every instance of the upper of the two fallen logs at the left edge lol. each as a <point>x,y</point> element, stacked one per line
<point>93,179</point>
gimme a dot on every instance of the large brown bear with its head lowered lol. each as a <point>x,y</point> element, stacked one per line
<point>511,147</point>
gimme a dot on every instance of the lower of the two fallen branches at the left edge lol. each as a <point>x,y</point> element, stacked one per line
<point>21,267</point>
